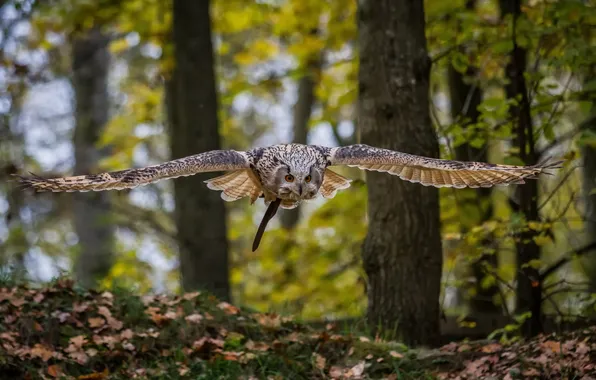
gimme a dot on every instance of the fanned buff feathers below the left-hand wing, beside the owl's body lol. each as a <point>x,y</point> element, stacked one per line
<point>235,185</point>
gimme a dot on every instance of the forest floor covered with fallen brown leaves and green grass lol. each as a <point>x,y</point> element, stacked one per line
<point>61,331</point>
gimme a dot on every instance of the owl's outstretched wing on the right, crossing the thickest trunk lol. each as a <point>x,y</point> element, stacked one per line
<point>435,172</point>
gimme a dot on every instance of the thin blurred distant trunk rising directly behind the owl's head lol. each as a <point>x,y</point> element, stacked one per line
<point>302,110</point>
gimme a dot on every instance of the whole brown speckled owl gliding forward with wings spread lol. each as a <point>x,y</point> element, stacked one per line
<point>284,175</point>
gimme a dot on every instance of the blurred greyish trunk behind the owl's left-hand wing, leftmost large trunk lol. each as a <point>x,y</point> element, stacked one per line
<point>90,63</point>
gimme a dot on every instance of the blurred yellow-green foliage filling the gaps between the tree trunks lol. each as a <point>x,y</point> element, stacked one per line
<point>261,50</point>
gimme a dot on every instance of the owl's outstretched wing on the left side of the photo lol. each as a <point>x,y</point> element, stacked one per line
<point>217,160</point>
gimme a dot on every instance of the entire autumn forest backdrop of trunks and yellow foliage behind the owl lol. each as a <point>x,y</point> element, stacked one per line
<point>91,86</point>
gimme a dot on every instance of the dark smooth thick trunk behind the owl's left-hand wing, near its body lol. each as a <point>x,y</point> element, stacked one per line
<point>192,108</point>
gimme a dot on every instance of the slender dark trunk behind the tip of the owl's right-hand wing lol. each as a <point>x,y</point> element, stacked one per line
<point>529,287</point>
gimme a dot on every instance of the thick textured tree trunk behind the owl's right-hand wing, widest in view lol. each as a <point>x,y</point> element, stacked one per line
<point>402,252</point>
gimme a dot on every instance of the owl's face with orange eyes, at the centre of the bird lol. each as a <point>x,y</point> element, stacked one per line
<point>298,183</point>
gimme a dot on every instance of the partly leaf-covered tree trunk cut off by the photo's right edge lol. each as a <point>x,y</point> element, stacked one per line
<point>589,193</point>
